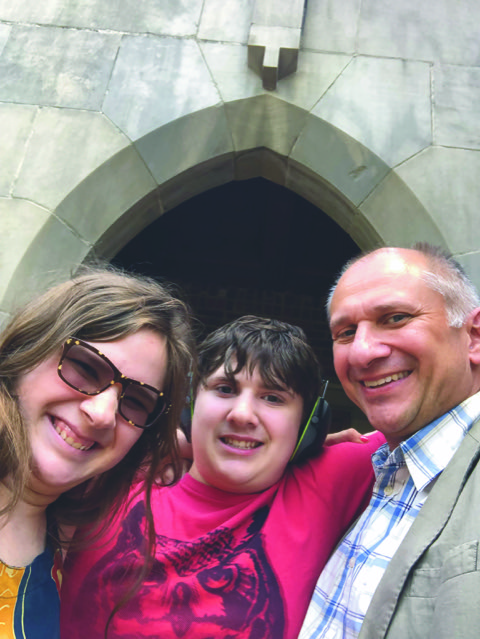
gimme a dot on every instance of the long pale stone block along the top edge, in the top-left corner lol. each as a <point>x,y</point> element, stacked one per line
<point>149,16</point>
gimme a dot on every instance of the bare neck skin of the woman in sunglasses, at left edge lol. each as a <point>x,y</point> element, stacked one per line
<point>22,530</point>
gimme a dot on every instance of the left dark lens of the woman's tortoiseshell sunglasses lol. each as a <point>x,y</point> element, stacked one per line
<point>85,371</point>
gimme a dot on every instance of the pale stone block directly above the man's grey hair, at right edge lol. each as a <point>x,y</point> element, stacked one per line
<point>446,183</point>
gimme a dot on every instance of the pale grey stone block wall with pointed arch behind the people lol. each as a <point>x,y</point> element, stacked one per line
<point>114,111</point>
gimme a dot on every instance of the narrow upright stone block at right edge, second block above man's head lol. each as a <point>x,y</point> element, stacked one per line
<point>457,106</point>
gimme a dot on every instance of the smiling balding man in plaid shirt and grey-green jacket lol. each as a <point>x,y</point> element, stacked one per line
<point>405,325</point>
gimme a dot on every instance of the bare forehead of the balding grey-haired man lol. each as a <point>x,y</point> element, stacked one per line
<point>382,281</point>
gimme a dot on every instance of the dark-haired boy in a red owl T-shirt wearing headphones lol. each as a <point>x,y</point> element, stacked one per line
<point>241,539</point>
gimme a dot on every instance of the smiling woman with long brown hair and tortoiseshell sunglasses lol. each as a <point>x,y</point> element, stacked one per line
<point>92,382</point>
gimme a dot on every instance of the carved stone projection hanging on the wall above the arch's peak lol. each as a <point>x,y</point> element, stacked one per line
<point>274,39</point>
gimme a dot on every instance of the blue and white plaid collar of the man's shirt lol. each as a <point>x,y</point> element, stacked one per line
<point>428,451</point>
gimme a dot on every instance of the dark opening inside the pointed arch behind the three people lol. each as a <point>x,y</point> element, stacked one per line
<point>250,247</point>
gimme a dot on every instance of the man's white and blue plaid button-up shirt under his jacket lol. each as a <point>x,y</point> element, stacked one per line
<point>404,479</point>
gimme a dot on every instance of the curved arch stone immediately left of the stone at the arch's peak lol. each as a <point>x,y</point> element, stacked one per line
<point>185,142</point>
